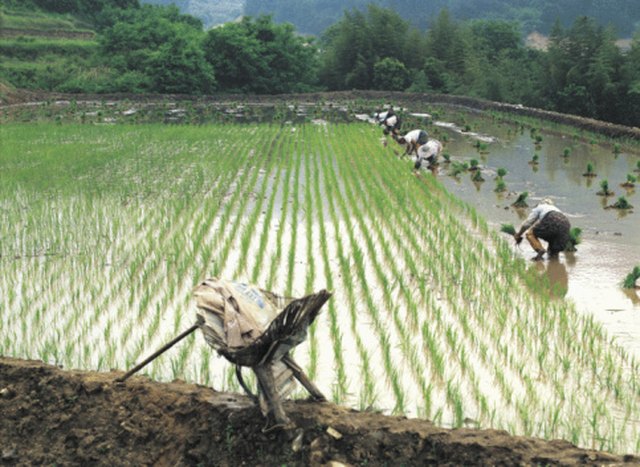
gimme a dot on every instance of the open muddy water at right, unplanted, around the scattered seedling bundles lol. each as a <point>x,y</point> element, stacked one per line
<point>610,245</point>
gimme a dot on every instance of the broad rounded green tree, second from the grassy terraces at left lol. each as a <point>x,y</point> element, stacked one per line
<point>259,56</point>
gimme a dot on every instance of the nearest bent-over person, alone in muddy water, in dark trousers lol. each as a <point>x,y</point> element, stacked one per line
<point>548,223</point>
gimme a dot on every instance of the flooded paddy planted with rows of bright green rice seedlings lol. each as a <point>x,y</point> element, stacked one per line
<point>106,229</point>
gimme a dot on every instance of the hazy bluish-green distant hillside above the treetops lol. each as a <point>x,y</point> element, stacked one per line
<point>313,16</point>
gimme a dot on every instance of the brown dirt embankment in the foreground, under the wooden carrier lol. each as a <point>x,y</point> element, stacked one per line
<point>52,416</point>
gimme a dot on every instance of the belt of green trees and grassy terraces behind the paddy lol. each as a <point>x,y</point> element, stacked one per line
<point>128,47</point>
